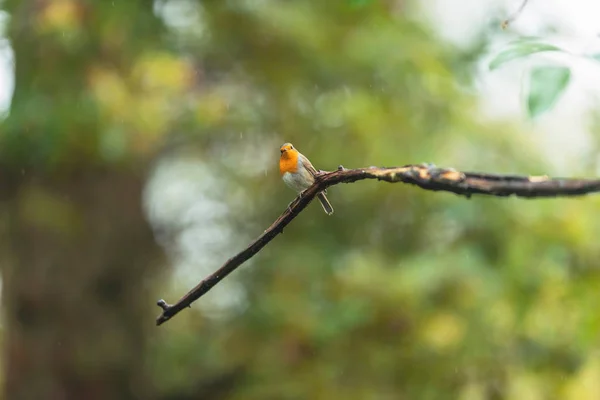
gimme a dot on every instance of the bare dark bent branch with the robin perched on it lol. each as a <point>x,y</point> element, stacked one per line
<point>425,176</point>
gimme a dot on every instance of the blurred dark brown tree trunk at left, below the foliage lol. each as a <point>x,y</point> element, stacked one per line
<point>76,306</point>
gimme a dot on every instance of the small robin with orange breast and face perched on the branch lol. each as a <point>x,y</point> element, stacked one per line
<point>298,173</point>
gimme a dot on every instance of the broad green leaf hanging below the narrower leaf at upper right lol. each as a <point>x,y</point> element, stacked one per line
<point>546,85</point>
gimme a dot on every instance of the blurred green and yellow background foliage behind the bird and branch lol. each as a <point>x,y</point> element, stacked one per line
<point>401,293</point>
